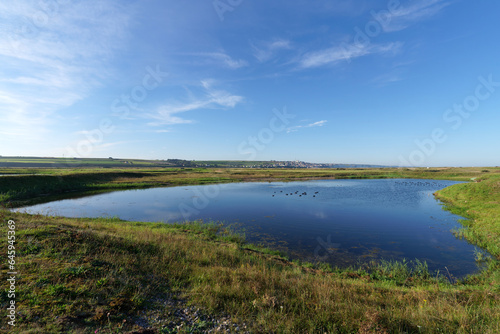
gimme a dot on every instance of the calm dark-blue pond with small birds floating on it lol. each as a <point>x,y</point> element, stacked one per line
<point>343,222</point>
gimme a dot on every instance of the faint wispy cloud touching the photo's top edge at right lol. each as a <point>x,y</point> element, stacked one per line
<point>404,16</point>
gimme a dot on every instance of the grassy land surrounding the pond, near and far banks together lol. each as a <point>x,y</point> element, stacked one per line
<point>109,276</point>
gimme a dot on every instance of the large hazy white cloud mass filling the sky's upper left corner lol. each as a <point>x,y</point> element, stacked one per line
<point>53,56</point>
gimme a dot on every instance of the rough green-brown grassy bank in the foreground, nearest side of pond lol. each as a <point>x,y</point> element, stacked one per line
<point>82,275</point>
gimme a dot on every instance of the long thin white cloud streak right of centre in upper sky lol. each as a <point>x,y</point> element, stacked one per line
<point>345,52</point>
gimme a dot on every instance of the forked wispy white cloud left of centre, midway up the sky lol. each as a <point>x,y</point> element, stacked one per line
<point>211,98</point>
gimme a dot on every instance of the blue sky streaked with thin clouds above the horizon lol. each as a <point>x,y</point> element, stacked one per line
<point>382,82</point>
